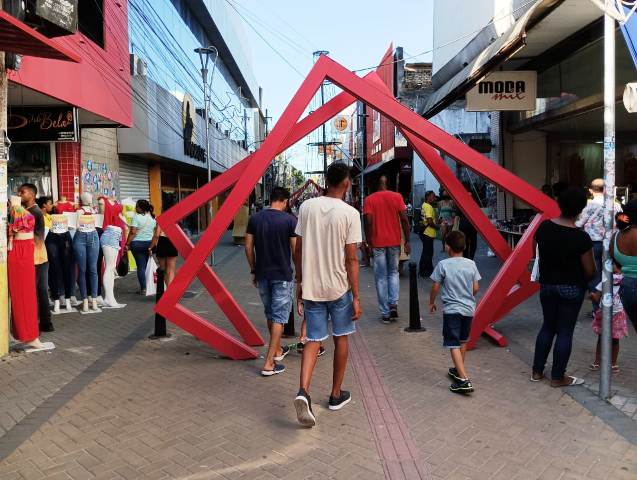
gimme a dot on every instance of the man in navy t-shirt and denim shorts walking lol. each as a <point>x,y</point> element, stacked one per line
<point>270,241</point>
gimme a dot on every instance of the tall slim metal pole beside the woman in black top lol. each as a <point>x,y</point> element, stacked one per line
<point>609,200</point>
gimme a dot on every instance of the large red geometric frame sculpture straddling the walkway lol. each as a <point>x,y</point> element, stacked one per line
<point>509,288</point>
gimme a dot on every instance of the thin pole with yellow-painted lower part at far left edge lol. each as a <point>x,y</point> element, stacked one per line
<point>4,159</point>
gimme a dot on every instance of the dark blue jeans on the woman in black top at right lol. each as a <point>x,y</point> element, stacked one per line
<point>560,305</point>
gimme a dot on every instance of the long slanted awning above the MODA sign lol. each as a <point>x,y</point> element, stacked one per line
<point>544,25</point>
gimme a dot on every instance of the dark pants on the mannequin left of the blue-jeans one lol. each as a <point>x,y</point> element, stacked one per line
<point>59,248</point>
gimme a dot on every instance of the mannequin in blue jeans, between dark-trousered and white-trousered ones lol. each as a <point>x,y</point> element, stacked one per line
<point>86,249</point>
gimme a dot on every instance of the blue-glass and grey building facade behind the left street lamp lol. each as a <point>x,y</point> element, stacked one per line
<point>163,157</point>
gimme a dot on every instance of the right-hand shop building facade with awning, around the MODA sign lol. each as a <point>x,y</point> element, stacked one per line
<point>560,138</point>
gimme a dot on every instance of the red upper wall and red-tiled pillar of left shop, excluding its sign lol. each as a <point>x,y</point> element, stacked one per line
<point>98,86</point>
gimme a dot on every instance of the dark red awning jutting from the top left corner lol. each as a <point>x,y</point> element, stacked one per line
<point>17,37</point>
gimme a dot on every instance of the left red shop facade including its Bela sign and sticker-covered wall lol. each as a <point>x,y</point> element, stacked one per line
<point>51,117</point>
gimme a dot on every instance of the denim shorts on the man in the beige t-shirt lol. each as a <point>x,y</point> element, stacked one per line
<point>318,314</point>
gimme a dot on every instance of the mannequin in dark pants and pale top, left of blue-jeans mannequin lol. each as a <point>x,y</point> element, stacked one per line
<point>59,245</point>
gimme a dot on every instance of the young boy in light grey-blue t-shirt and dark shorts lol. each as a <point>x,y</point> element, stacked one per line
<point>456,278</point>
